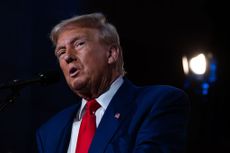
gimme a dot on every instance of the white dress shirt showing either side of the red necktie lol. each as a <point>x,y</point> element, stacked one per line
<point>104,101</point>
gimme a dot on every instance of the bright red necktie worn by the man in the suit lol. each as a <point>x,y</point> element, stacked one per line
<point>87,127</point>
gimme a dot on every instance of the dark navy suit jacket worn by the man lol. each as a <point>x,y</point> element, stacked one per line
<point>153,119</point>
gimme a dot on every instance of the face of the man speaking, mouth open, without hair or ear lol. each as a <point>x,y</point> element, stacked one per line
<point>83,59</point>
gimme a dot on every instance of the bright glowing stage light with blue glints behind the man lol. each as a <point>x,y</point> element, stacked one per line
<point>200,71</point>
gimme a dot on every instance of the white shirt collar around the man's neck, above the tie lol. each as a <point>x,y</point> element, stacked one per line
<point>105,98</point>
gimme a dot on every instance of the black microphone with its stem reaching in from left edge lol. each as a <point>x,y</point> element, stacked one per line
<point>45,78</point>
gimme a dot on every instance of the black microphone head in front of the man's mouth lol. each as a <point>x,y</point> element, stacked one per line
<point>49,77</point>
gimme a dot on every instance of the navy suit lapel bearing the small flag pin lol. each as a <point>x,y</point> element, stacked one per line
<point>113,117</point>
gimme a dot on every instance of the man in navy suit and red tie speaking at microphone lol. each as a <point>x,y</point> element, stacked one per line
<point>128,119</point>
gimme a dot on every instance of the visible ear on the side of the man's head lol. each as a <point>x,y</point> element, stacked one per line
<point>113,54</point>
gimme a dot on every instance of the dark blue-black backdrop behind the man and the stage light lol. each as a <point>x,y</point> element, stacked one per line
<point>154,36</point>
